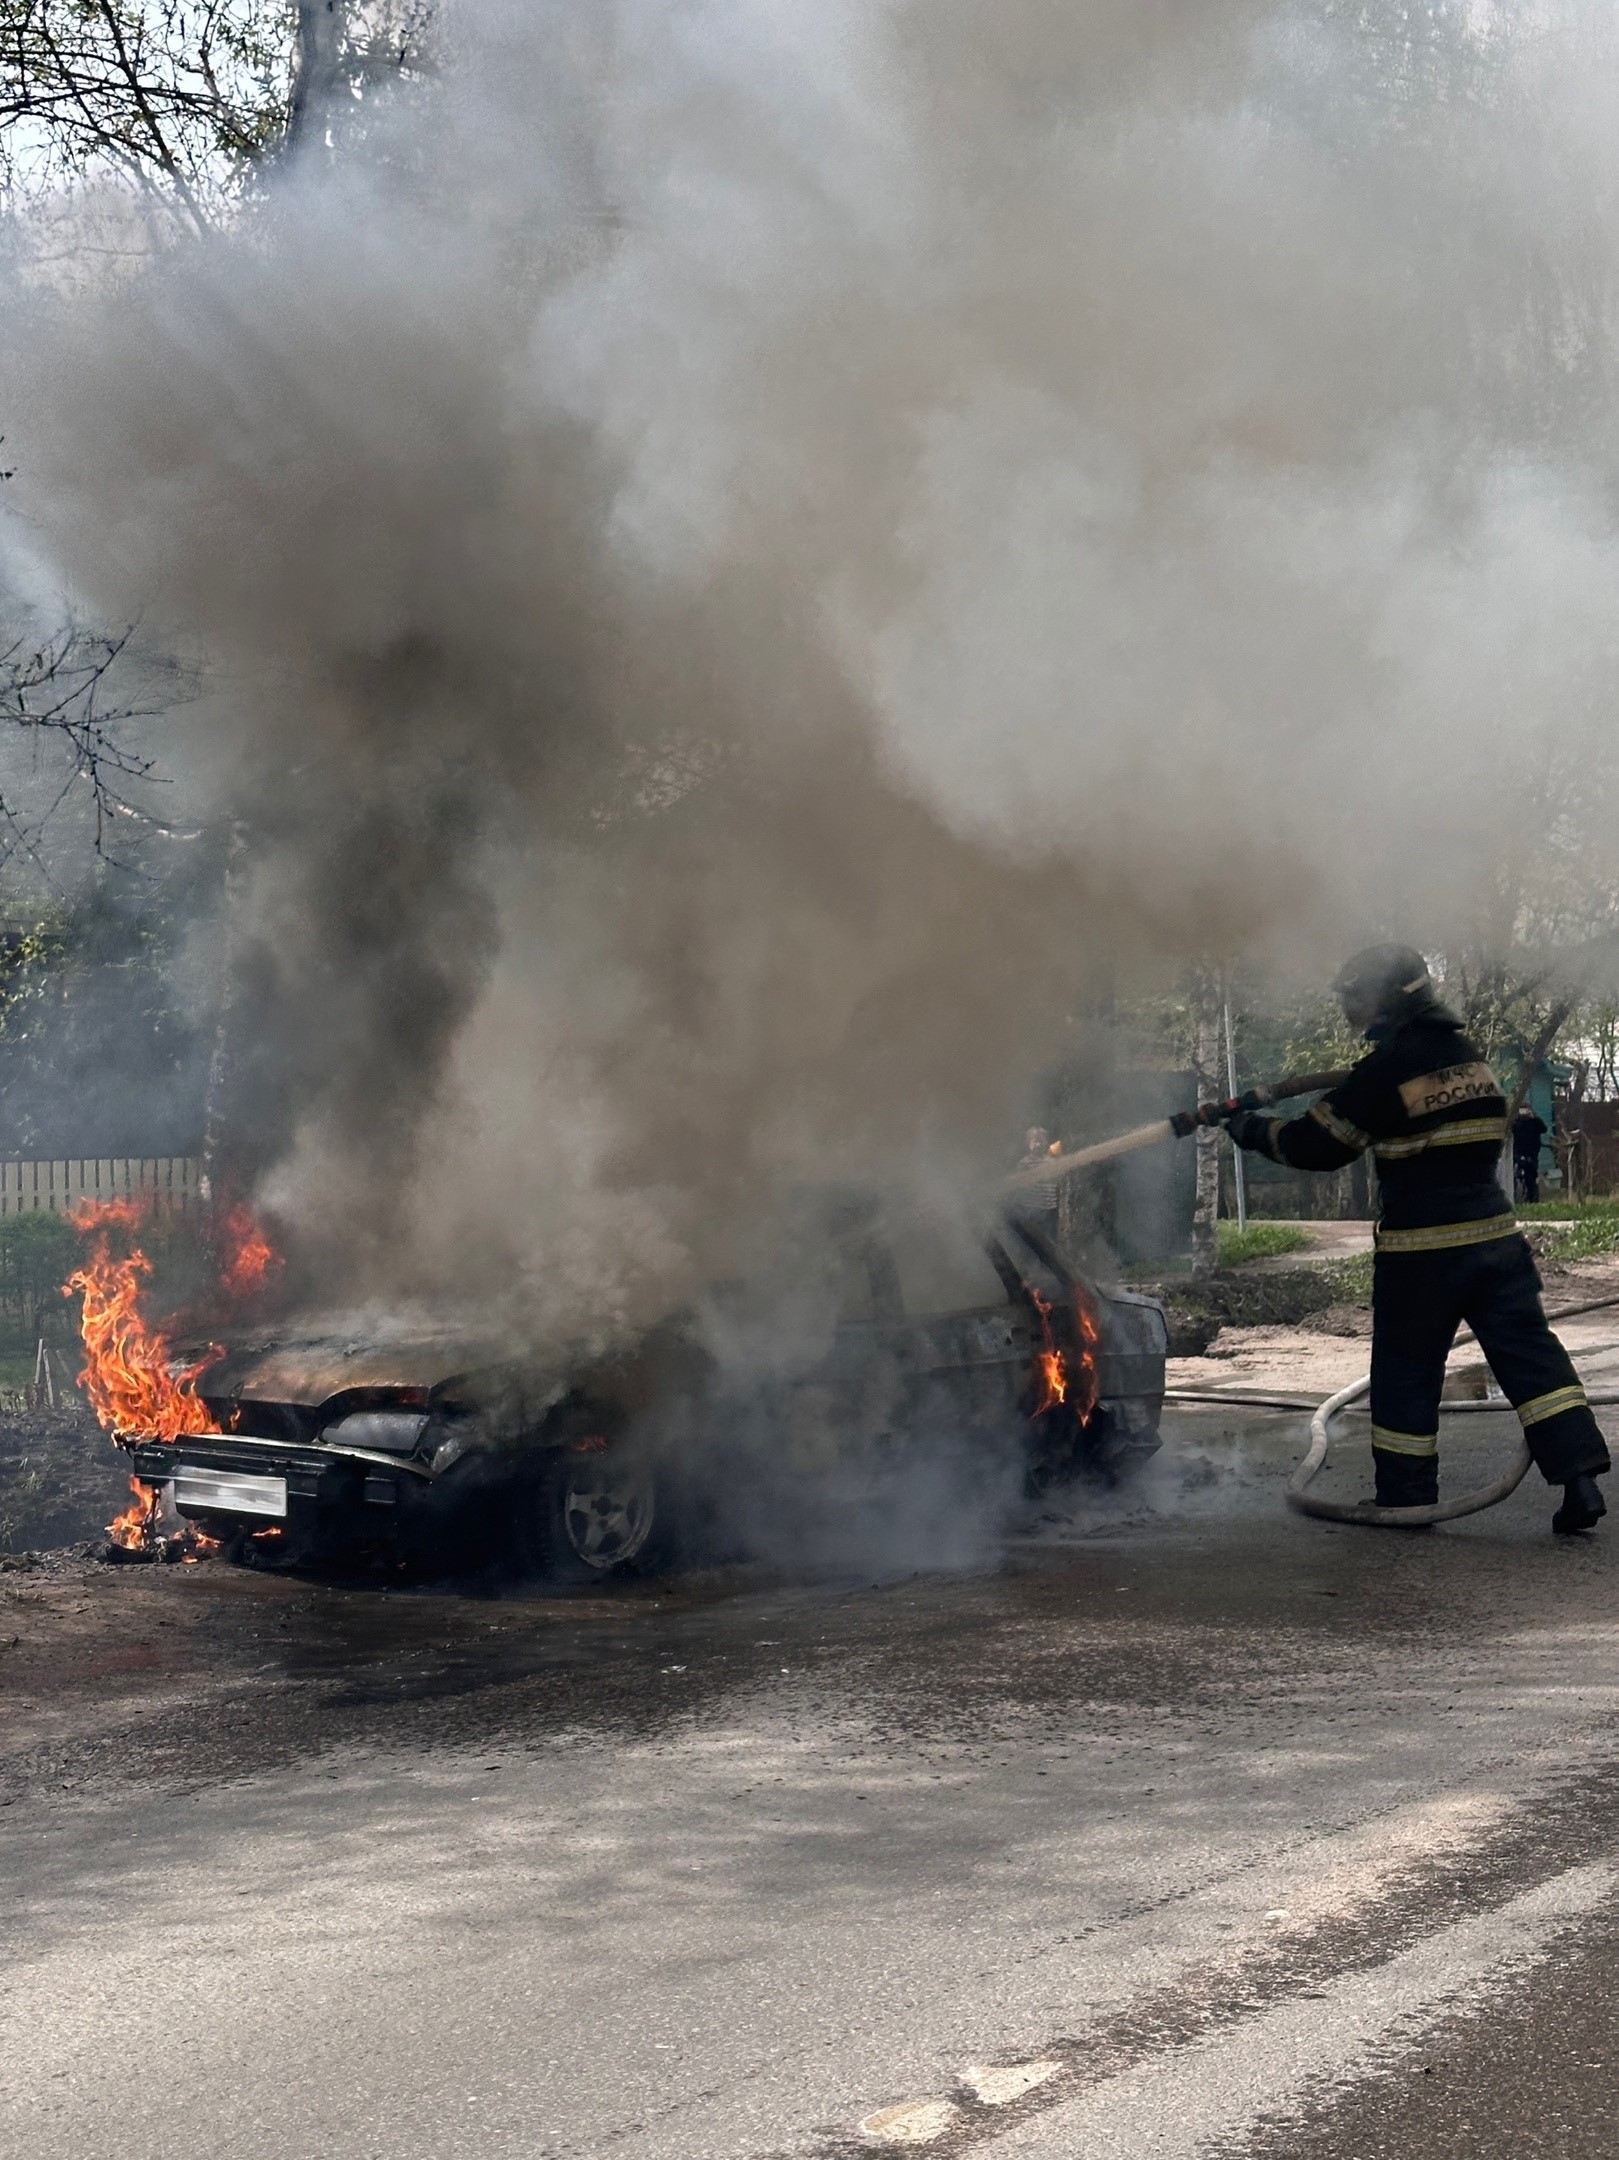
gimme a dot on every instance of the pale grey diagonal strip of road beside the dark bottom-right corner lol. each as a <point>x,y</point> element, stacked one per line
<point>1171,2107</point>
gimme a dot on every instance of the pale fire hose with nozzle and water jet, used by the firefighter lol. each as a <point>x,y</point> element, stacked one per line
<point>1298,1498</point>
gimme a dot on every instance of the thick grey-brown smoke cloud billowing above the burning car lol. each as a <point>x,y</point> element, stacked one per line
<point>750,556</point>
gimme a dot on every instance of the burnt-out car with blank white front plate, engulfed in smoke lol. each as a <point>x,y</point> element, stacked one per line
<point>435,1446</point>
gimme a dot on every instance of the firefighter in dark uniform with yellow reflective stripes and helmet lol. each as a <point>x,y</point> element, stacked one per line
<point>1450,1247</point>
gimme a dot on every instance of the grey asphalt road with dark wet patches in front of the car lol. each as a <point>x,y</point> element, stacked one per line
<point>1178,1828</point>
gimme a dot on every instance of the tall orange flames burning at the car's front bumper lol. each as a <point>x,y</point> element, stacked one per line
<point>128,1366</point>
